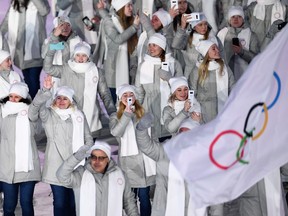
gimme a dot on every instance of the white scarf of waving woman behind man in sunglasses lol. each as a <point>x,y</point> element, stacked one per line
<point>78,126</point>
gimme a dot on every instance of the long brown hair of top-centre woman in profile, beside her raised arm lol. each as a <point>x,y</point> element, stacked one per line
<point>126,22</point>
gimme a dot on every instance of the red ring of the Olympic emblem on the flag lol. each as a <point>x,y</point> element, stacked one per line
<point>213,144</point>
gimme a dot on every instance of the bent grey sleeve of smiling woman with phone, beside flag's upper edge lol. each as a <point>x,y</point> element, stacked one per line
<point>171,120</point>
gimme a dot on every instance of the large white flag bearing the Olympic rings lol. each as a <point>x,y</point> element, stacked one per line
<point>247,140</point>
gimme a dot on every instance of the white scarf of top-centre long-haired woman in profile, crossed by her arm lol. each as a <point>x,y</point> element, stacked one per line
<point>122,67</point>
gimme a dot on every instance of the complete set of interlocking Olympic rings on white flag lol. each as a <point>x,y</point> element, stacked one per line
<point>240,151</point>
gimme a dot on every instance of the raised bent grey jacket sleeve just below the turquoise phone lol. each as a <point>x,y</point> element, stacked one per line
<point>49,68</point>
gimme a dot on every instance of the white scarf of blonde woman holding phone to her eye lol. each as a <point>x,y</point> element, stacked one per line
<point>129,147</point>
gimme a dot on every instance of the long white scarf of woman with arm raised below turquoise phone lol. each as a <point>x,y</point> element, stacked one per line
<point>90,92</point>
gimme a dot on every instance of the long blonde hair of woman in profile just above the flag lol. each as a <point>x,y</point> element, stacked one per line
<point>203,71</point>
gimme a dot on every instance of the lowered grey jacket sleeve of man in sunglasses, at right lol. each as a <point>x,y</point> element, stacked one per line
<point>129,202</point>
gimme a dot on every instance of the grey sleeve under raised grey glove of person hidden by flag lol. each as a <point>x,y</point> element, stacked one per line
<point>148,146</point>
